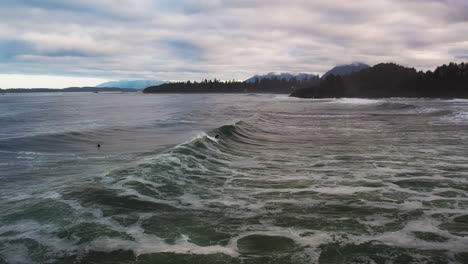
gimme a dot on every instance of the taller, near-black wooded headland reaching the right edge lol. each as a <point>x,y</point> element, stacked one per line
<point>392,80</point>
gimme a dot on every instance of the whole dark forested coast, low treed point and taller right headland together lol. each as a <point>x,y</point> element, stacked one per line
<point>353,80</point>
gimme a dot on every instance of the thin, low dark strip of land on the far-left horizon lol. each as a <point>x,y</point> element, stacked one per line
<point>69,89</point>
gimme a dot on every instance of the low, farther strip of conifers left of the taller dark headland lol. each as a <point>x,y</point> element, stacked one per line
<point>273,85</point>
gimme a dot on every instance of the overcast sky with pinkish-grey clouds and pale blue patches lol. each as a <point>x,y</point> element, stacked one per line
<point>59,43</point>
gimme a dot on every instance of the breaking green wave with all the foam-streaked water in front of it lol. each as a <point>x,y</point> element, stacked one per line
<point>284,187</point>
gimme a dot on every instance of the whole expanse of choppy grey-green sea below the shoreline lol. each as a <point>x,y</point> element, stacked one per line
<point>286,181</point>
